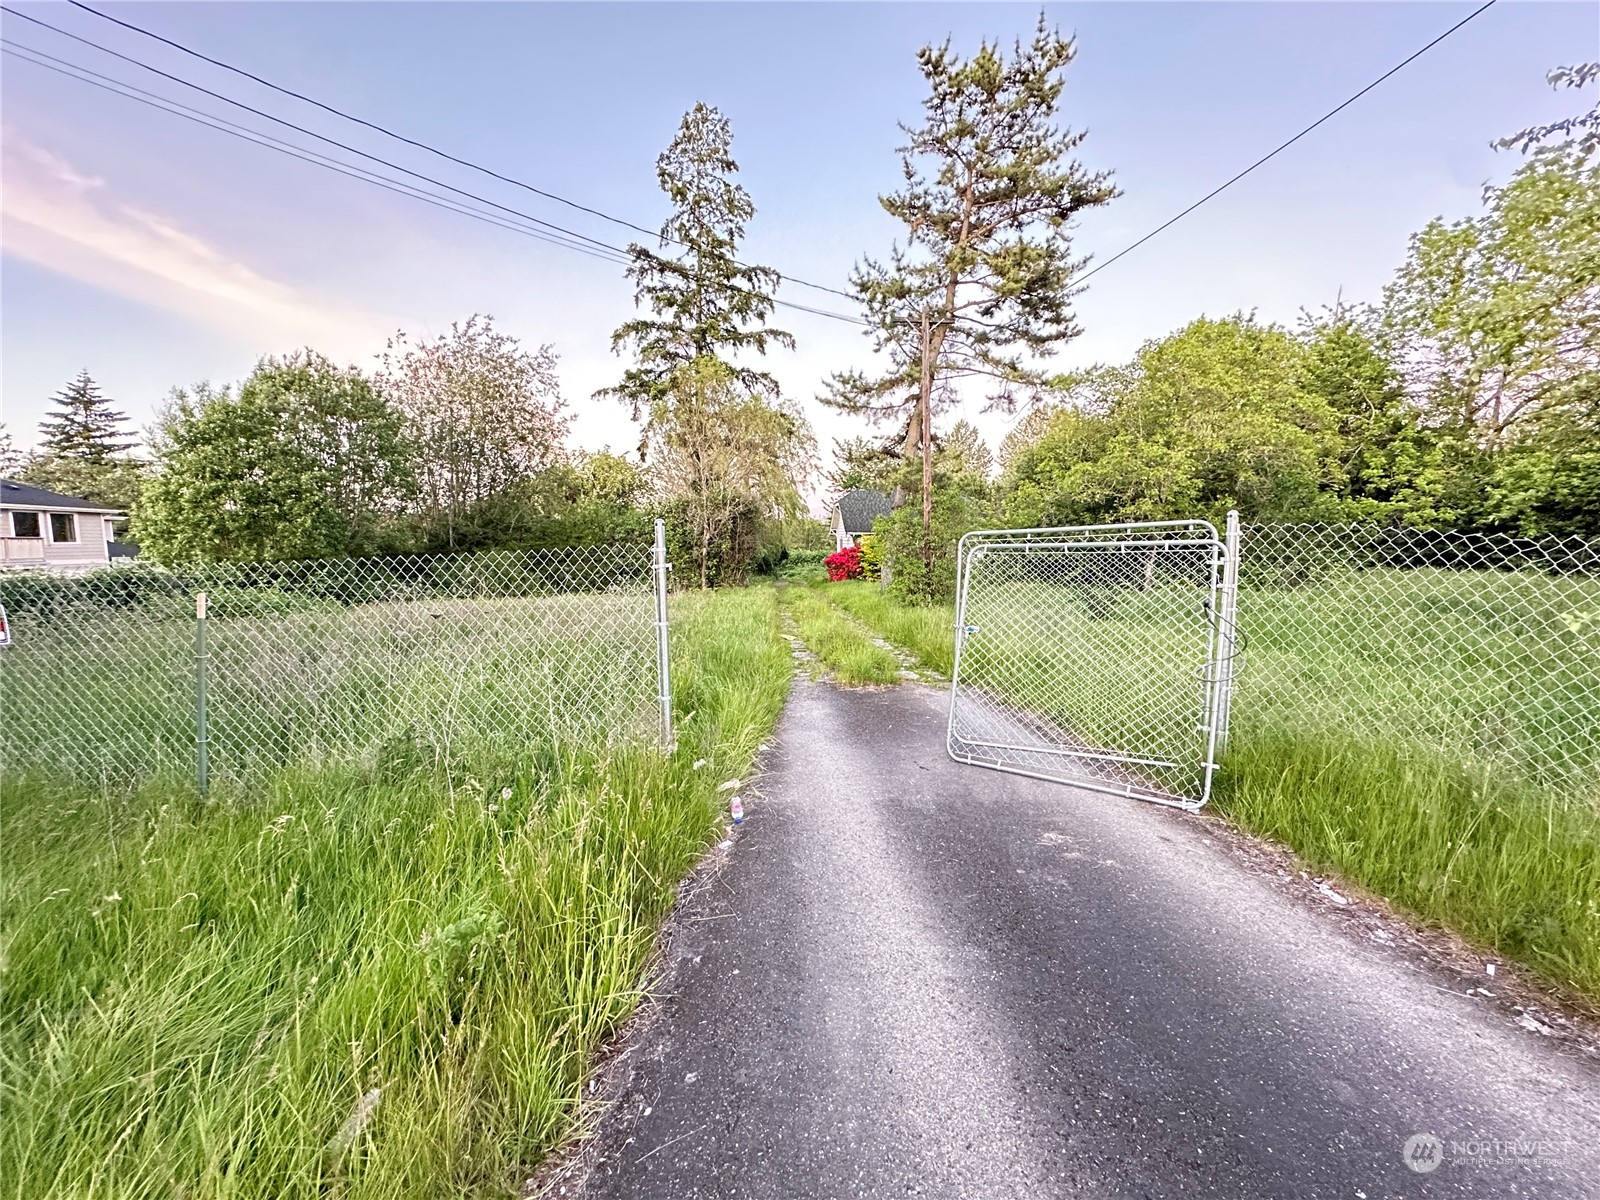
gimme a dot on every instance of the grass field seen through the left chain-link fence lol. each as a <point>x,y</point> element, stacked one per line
<point>110,692</point>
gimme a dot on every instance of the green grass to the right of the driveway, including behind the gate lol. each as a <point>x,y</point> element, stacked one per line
<point>1430,735</point>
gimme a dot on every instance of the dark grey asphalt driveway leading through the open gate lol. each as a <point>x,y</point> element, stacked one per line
<point>919,978</point>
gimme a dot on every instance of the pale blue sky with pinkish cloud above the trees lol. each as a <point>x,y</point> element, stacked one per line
<point>158,254</point>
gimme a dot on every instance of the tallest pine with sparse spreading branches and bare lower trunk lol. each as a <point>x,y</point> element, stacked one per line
<point>983,287</point>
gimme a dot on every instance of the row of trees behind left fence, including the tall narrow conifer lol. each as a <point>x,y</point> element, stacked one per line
<point>460,442</point>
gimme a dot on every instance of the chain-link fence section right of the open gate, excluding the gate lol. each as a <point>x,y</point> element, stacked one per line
<point>1482,647</point>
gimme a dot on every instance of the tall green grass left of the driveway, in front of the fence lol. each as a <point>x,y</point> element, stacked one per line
<point>375,978</point>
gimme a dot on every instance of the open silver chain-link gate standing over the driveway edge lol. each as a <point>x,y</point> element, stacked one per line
<point>1097,655</point>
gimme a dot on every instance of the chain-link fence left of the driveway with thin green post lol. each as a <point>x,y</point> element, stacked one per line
<point>122,674</point>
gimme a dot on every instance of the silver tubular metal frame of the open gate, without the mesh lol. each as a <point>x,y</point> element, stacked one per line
<point>1215,671</point>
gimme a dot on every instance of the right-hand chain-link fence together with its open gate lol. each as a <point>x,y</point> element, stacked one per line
<point>1106,655</point>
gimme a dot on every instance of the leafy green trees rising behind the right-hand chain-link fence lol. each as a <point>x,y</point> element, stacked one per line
<point>1468,399</point>
